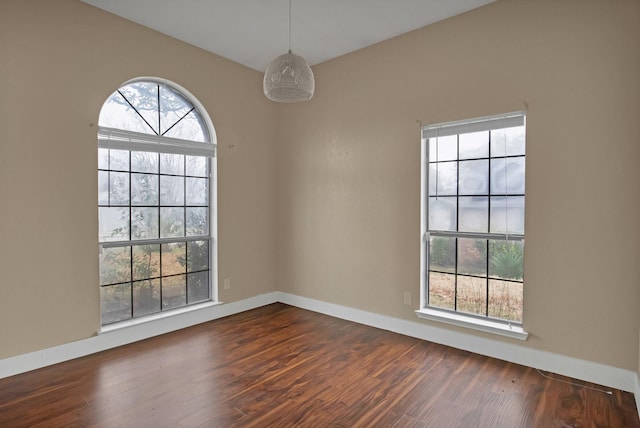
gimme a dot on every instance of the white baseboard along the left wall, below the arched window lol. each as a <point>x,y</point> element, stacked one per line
<point>122,336</point>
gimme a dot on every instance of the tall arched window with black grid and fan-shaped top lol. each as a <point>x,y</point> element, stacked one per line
<point>155,200</point>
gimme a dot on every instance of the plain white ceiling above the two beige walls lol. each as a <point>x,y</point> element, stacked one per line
<point>254,32</point>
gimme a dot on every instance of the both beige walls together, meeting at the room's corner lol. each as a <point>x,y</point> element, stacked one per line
<point>325,204</point>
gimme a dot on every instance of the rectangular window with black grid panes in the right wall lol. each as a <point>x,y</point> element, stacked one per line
<point>473,218</point>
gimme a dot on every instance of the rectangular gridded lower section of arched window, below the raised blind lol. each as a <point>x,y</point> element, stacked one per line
<point>154,232</point>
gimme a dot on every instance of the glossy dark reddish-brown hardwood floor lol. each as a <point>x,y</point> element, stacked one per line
<point>280,366</point>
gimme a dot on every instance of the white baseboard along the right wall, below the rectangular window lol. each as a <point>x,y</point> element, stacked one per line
<point>589,371</point>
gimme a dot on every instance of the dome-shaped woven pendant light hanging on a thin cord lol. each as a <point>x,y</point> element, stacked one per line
<point>289,78</point>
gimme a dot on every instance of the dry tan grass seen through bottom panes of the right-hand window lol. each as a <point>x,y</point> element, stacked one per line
<point>505,297</point>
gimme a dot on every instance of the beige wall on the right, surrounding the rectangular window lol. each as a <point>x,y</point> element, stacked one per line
<point>349,165</point>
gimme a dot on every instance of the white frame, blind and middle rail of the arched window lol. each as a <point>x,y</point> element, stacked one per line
<point>120,139</point>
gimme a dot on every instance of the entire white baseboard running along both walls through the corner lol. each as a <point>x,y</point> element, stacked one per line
<point>601,374</point>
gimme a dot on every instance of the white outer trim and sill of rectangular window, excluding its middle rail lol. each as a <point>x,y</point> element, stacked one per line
<point>458,319</point>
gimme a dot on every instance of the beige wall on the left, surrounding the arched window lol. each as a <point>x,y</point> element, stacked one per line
<point>59,62</point>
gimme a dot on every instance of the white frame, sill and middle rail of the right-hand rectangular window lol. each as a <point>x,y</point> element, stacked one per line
<point>460,319</point>
